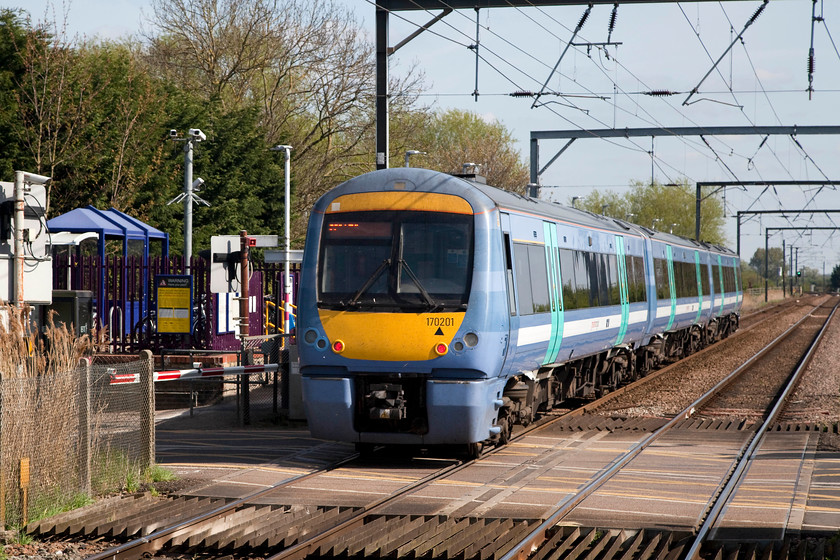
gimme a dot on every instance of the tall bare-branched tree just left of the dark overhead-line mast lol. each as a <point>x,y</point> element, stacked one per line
<point>305,63</point>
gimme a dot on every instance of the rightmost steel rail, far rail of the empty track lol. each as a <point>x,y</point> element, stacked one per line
<point>745,459</point>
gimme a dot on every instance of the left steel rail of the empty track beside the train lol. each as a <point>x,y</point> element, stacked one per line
<point>540,534</point>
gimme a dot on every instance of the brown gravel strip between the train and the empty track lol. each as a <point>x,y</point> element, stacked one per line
<point>693,376</point>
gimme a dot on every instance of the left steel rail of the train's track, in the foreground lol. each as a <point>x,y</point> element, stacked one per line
<point>153,542</point>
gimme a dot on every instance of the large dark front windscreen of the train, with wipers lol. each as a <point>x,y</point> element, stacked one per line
<point>395,261</point>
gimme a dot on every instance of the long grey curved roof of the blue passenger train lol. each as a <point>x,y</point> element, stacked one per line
<point>443,182</point>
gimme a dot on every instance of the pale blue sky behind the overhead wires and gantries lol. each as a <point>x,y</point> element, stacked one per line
<point>663,47</point>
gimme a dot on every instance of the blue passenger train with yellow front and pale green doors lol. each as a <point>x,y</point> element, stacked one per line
<point>435,309</point>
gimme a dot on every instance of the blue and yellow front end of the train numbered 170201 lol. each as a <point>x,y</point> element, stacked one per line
<point>415,366</point>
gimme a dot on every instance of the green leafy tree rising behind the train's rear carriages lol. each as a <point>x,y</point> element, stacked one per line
<point>669,208</point>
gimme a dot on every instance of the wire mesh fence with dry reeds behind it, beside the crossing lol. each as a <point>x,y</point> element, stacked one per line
<point>70,434</point>
